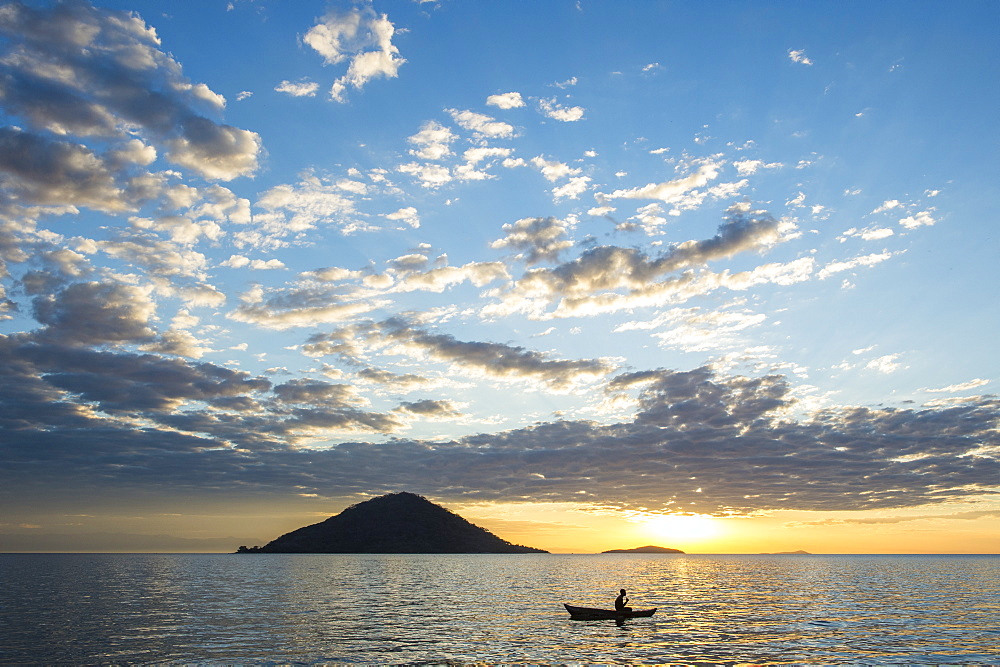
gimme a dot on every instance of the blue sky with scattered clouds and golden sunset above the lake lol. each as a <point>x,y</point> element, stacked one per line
<point>594,274</point>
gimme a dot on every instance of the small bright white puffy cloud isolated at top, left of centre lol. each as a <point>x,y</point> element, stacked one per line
<point>360,37</point>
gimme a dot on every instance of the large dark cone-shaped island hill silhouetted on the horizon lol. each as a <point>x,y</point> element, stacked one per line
<point>397,523</point>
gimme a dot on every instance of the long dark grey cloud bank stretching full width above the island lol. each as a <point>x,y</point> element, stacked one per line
<point>699,441</point>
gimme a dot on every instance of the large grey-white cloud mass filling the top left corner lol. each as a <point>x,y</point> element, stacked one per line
<point>100,74</point>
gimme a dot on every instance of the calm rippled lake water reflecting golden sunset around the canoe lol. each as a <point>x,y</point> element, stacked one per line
<point>435,609</point>
